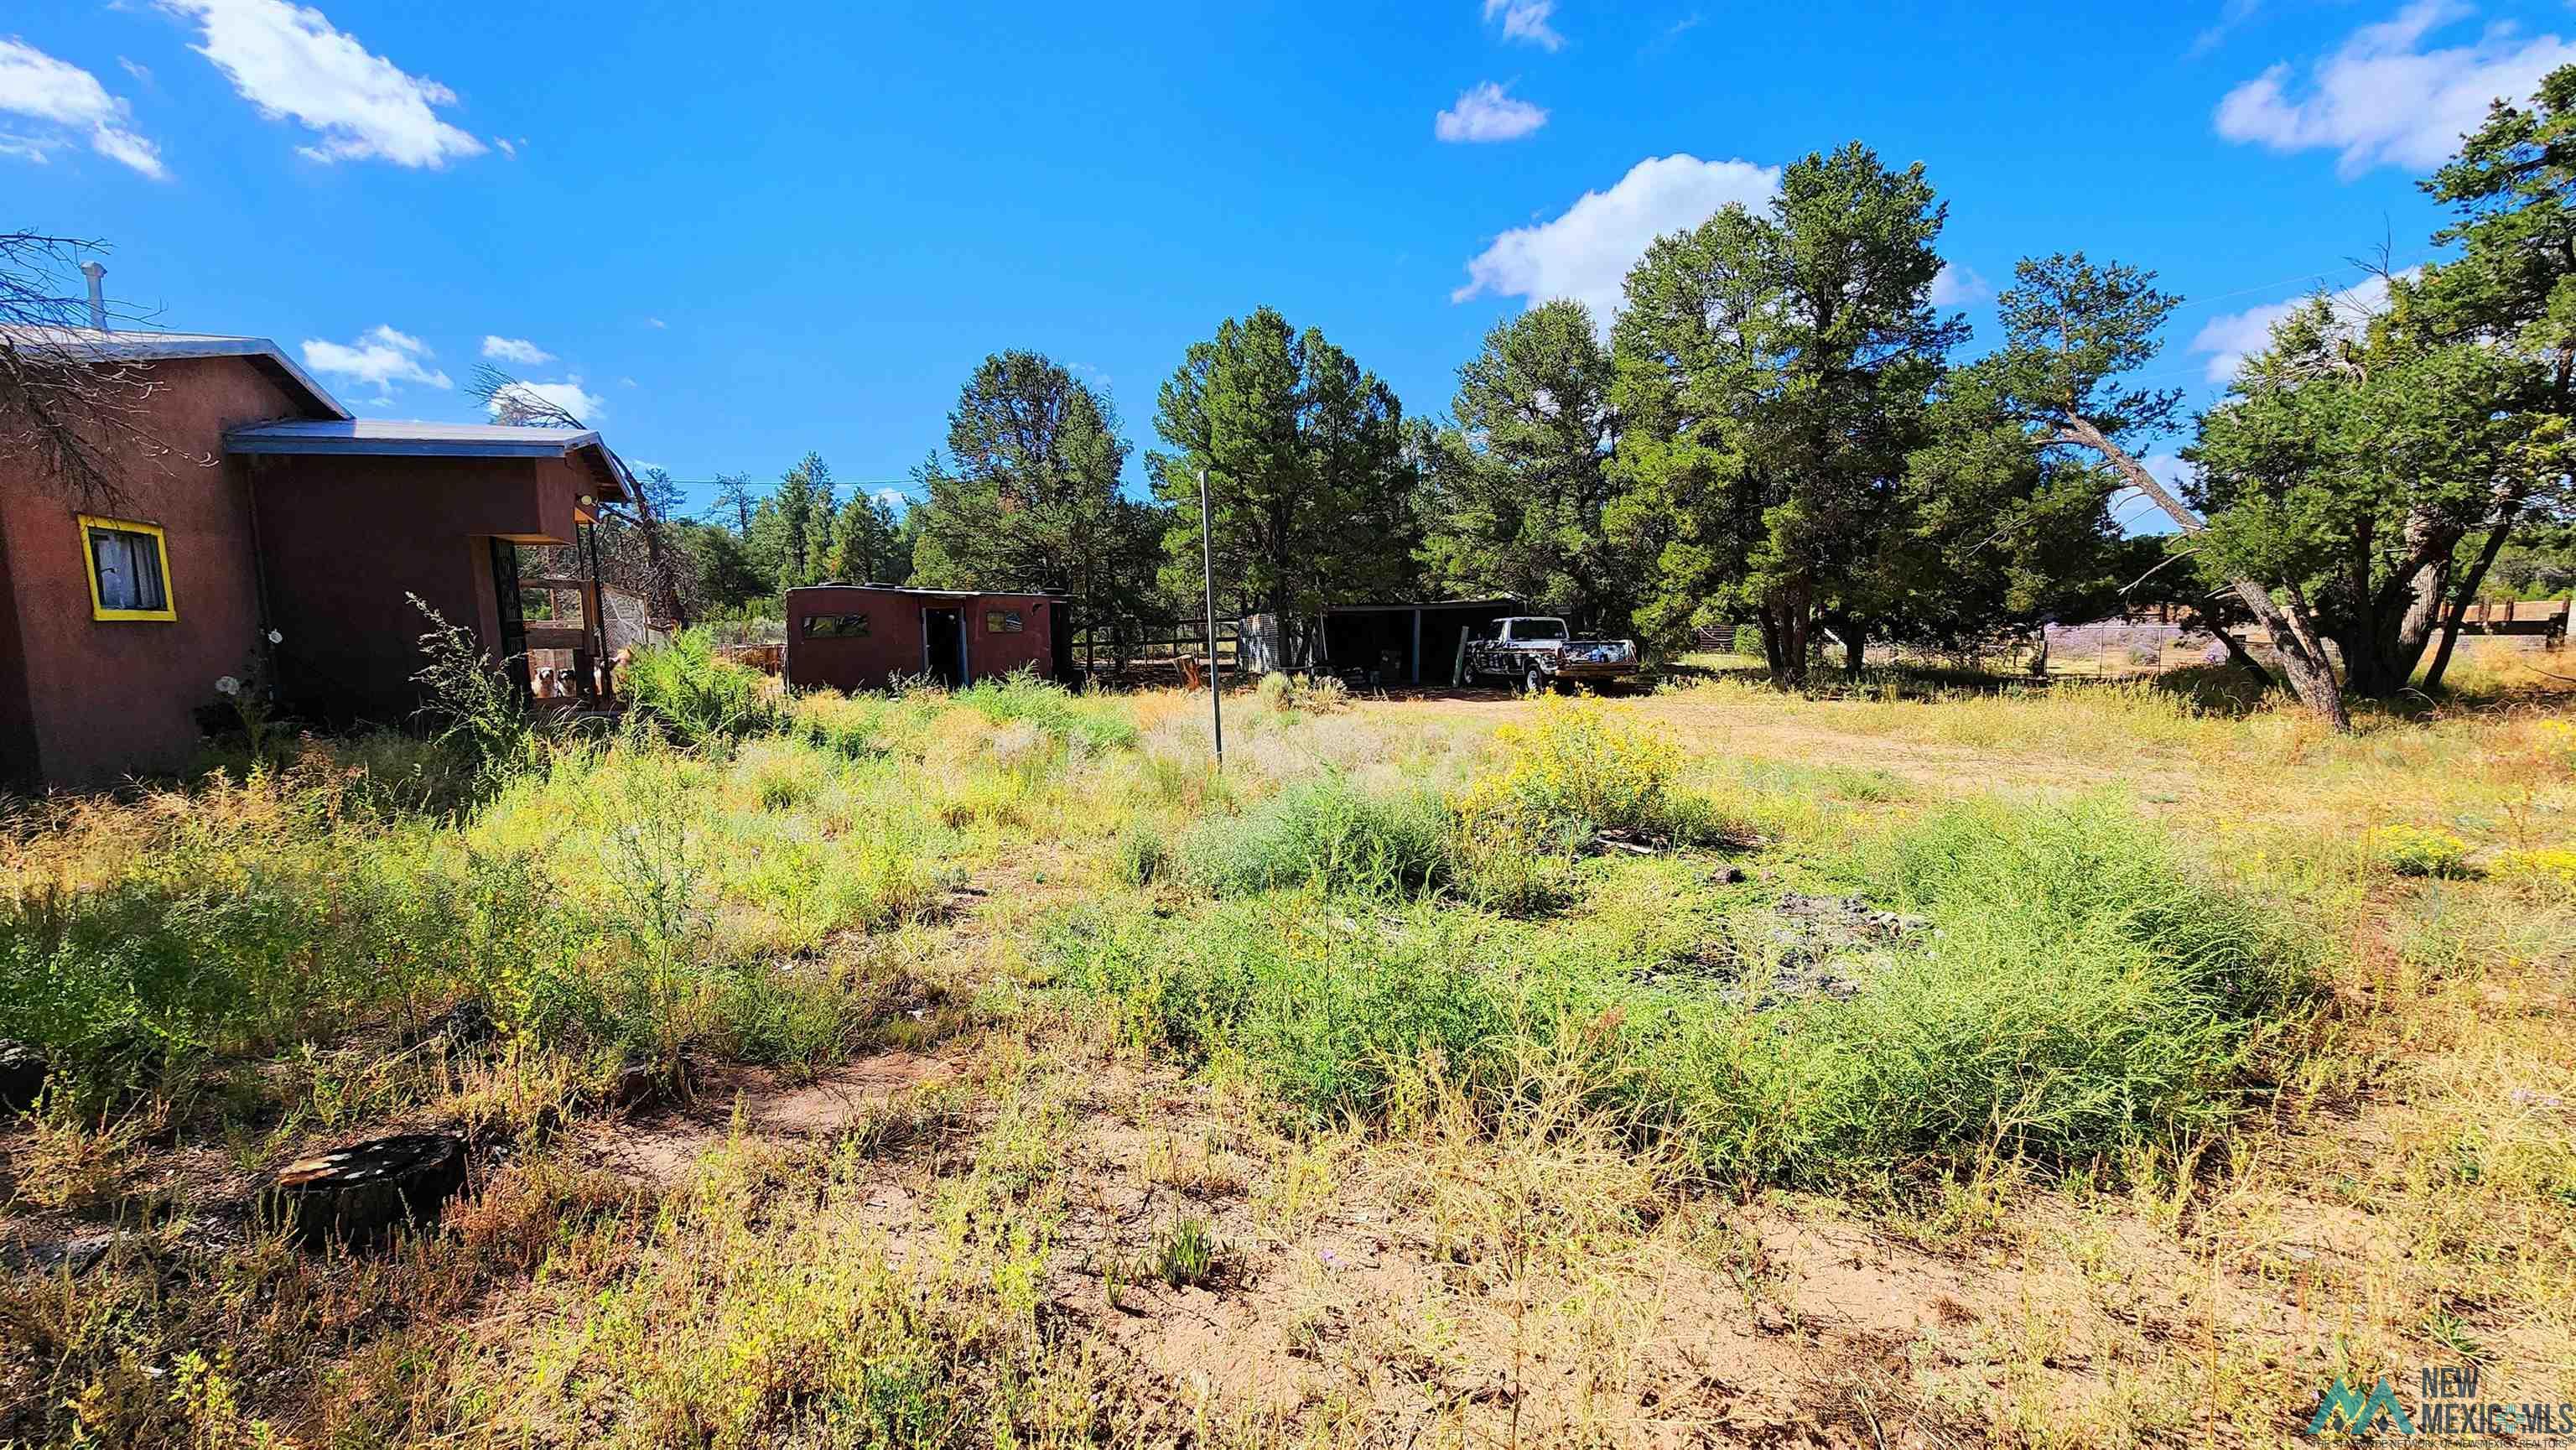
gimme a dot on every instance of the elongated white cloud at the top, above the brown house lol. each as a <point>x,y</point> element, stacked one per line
<point>290,61</point>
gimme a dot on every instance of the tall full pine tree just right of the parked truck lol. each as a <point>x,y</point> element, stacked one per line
<point>1774,377</point>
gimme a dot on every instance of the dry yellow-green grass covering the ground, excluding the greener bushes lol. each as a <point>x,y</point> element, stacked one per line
<point>1055,1230</point>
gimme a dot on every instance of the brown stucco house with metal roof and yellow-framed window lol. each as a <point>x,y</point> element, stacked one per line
<point>267,509</point>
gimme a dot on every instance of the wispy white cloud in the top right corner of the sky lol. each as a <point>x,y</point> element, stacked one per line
<point>2384,102</point>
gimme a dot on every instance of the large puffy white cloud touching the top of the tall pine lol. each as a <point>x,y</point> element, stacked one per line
<point>1591,249</point>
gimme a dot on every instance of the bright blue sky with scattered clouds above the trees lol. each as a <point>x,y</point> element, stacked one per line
<point>741,233</point>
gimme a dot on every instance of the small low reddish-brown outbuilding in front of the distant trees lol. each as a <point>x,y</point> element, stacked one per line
<point>864,637</point>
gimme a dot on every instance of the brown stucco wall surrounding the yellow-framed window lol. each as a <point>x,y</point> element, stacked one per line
<point>86,702</point>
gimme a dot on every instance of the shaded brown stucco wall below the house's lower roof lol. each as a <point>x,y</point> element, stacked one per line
<point>346,540</point>
